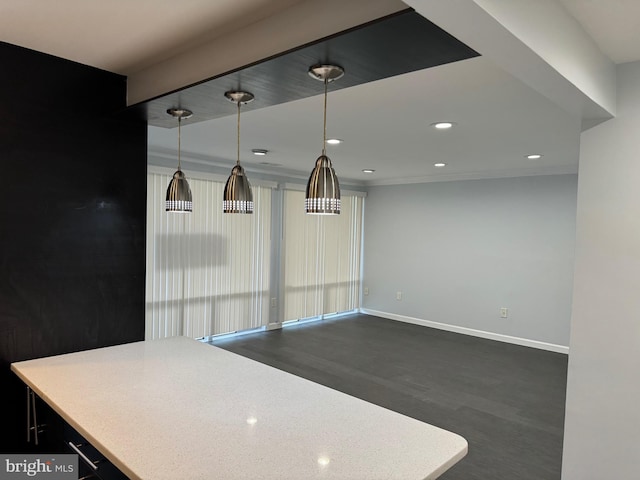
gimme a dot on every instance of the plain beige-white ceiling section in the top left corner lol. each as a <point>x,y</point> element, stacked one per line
<point>125,36</point>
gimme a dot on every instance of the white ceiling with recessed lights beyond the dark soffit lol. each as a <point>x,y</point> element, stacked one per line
<point>385,126</point>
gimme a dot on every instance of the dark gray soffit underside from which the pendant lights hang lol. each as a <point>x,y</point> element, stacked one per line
<point>393,45</point>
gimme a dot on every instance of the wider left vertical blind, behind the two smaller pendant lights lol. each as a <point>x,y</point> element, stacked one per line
<point>207,272</point>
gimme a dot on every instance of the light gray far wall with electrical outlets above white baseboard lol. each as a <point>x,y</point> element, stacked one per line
<point>459,251</point>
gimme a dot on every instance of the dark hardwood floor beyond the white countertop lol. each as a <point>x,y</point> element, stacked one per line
<point>506,400</point>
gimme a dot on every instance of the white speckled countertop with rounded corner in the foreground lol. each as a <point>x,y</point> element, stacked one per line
<point>177,408</point>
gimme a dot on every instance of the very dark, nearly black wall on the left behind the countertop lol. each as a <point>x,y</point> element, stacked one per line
<point>72,217</point>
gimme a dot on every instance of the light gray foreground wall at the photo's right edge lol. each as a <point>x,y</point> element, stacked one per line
<point>602,428</point>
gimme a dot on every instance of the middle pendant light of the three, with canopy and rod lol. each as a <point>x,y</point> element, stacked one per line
<point>237,192</point>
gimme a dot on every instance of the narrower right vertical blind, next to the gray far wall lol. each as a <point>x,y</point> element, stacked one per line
<point>322,258</point>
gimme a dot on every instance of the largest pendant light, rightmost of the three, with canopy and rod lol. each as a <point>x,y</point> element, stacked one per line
<point>323,189</point>
